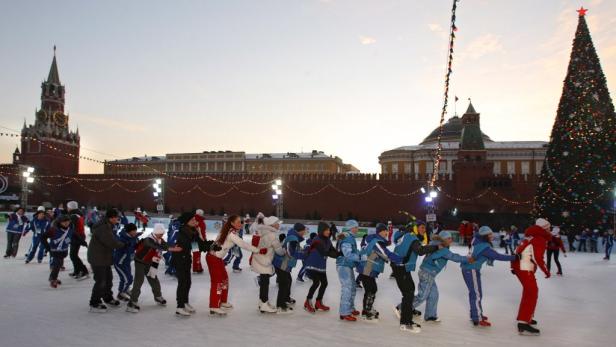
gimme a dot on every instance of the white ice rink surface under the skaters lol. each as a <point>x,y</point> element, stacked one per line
<point>575,310</point>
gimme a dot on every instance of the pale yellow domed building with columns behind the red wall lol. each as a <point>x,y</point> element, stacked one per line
<point>522,158</point>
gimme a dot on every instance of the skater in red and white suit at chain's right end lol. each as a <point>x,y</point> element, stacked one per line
<point>530,256</point>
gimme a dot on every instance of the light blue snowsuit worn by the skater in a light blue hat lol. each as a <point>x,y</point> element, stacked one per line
<point>344,265</point>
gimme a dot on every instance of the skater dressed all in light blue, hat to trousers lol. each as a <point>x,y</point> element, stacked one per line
<point>345,265</point>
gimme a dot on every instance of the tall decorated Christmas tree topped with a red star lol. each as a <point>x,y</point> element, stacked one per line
<point>578,174</point>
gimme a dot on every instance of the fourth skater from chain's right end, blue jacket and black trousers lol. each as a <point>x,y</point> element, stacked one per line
<point>409,247</point>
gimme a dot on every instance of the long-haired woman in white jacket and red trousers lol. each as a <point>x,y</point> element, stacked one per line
<point>227,238</point>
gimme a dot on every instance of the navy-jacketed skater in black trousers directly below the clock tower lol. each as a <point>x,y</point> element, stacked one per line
<point>59,236</point>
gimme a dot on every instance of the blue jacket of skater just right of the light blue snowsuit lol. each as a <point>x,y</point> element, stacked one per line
<point>376,255</point>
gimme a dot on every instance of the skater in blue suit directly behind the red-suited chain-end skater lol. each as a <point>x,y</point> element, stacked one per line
<point>482,252</point>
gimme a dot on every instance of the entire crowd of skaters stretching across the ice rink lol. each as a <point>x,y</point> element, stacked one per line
<point>115,243</point>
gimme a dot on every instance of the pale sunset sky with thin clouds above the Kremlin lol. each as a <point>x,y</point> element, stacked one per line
<point>352,78</point>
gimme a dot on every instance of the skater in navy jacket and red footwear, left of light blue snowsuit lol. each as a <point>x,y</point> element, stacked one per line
<point>316,267</point>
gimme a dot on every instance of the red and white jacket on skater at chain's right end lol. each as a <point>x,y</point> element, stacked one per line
<point>531,250</point>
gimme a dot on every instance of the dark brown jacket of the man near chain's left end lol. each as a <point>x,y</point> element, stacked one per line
<point>102,244</point>
